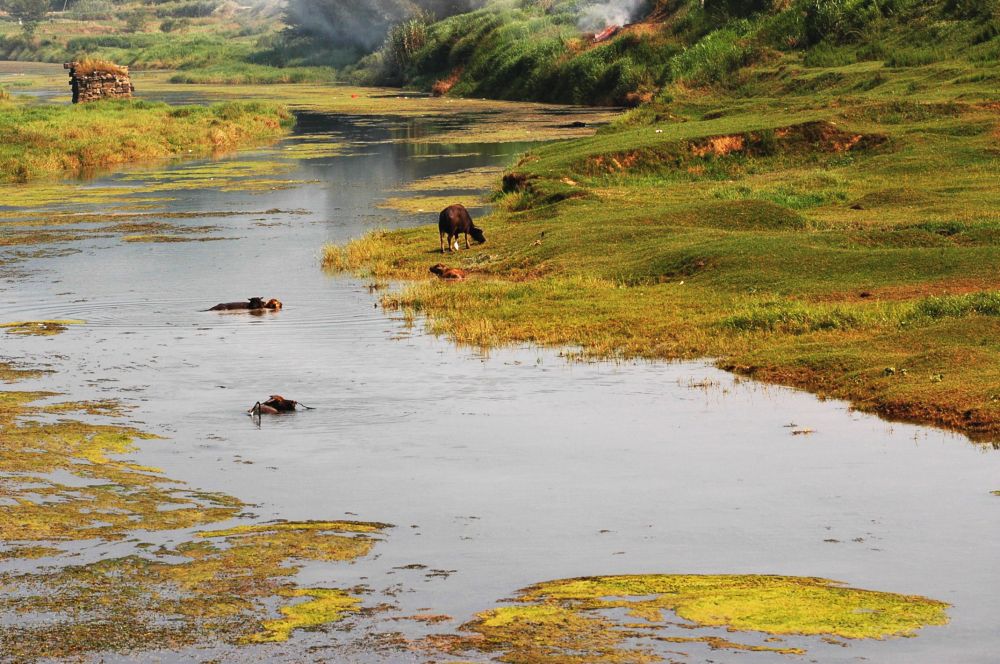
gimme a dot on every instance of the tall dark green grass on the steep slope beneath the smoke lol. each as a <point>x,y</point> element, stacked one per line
<point>538,51</point>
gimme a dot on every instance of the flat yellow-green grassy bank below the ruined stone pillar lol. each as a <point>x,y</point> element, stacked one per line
<point>47,140</point>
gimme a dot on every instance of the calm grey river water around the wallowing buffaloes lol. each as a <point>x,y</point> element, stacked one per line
<point>502,470</point>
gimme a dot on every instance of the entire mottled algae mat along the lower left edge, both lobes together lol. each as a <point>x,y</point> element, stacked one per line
<point>215,586</point>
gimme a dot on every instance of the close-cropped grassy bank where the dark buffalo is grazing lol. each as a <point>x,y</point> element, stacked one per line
<point>837,230</point>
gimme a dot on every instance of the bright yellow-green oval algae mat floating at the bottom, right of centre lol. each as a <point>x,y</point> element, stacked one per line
<point>572,620</point>
